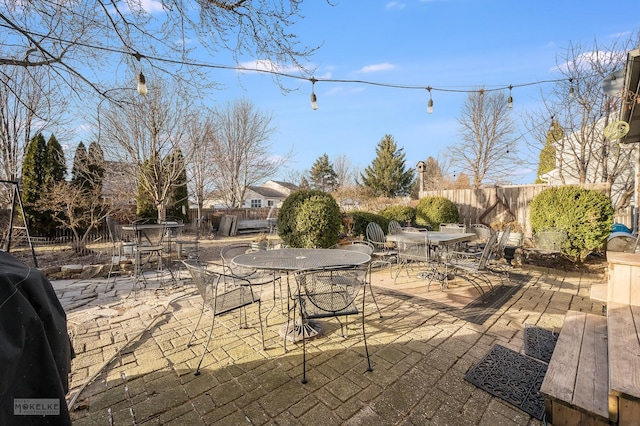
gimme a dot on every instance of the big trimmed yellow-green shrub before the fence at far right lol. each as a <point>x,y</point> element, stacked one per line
<point>586,215</point>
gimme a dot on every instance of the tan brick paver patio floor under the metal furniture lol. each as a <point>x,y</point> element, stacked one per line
<point>133,365</point>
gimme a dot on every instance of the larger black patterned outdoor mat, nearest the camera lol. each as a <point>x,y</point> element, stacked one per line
<point>512,377</point>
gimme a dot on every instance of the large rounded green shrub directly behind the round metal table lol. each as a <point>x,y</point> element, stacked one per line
<point>310,219</point>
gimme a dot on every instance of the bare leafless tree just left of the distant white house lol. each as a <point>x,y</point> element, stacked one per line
<point>241,151</point>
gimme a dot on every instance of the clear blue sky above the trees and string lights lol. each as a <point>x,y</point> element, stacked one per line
<point>450,44</point>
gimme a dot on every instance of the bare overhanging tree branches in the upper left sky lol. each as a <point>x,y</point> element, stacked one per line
<point>75,40</point>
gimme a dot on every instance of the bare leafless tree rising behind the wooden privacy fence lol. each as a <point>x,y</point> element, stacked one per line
<point>487,149</point>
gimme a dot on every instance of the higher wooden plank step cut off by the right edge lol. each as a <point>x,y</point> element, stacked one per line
<point>624,362</point>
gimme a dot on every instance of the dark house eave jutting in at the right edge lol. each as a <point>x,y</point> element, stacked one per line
<point>632,89</point>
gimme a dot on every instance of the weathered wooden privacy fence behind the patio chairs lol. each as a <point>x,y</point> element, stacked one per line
<point>508,203</point>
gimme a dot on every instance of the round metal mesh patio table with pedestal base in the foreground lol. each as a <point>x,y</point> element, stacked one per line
<point>296,259</point>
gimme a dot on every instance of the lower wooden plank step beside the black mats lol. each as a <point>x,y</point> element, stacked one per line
<point>575,387</point>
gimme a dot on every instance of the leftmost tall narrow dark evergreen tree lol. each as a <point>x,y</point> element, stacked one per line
<point>33,174</point>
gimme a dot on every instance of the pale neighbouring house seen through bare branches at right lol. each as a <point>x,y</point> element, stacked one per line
<point>617,156</point>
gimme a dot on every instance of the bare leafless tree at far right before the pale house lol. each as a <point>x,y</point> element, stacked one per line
<point>582,109</point>
